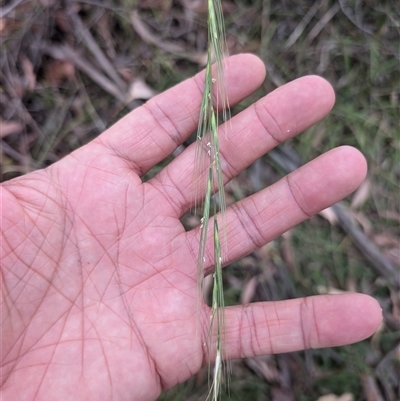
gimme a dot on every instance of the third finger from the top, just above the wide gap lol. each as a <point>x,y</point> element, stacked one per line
<point>258,219</point>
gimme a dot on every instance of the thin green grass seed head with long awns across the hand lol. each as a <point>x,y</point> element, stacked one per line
<point>208,156</point>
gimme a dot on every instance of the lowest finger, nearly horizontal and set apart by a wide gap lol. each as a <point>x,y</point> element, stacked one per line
<point>297,324</point>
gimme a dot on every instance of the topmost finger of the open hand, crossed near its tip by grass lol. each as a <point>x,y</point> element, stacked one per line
<point>152,132</point>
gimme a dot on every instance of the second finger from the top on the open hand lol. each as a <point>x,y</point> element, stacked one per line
<point>277,117</point>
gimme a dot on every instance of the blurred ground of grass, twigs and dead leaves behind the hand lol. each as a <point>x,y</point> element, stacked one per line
<point>70,69</point>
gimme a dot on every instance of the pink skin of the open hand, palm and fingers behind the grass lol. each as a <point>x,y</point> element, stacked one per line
<point>99,275</point>
